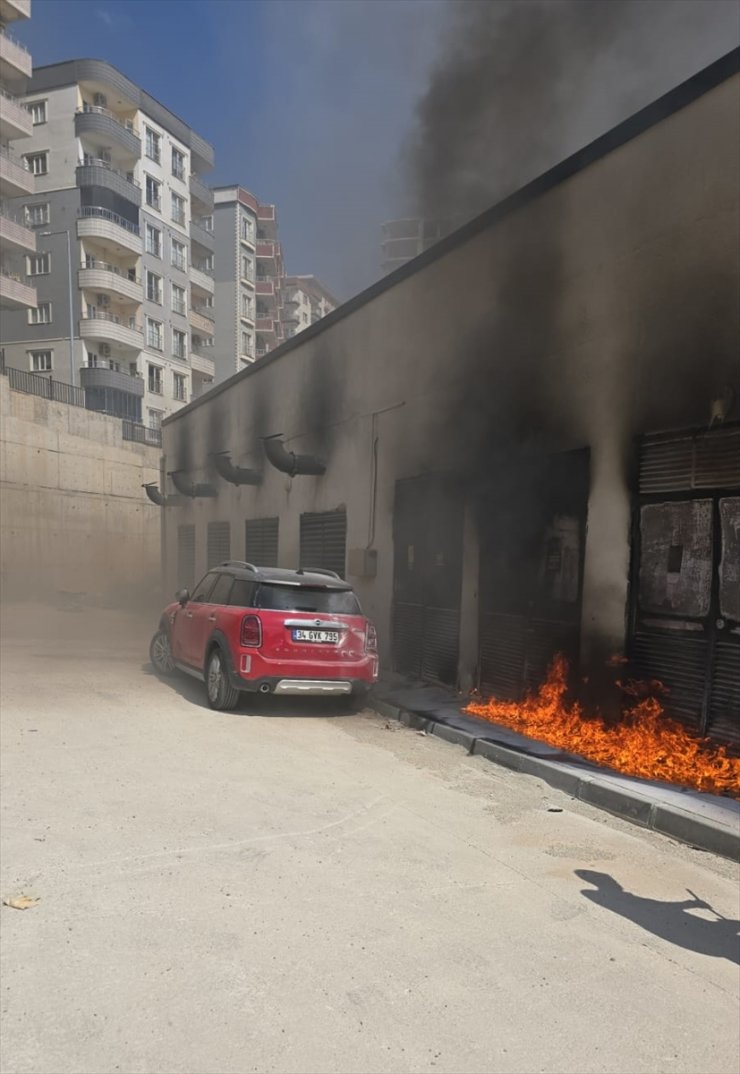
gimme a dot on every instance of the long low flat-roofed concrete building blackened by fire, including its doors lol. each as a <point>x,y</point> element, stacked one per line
<point>556,468</point>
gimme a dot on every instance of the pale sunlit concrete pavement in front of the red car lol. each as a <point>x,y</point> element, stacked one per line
<point>289,891</point>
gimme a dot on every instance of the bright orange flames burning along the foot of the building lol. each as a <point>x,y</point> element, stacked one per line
<point>645,744</point>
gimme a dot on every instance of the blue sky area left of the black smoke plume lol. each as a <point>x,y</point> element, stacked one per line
<point>307,103</point>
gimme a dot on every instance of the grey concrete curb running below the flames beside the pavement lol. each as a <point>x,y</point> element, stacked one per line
<point>628,803</point>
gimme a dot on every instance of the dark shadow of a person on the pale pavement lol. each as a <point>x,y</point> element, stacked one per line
<point>671,921</point>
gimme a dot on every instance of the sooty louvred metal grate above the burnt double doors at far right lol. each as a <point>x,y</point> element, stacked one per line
<point>679,463</point>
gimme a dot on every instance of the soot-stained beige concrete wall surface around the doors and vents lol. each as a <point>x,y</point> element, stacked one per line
<point>603,307</point>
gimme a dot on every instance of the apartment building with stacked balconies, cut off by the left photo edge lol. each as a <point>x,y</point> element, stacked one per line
<point>18,241</point>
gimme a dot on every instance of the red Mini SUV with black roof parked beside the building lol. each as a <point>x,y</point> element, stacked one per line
<point>268,630</point>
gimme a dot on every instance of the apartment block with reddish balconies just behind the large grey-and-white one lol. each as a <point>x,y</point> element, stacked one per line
<point>249,280</point>
